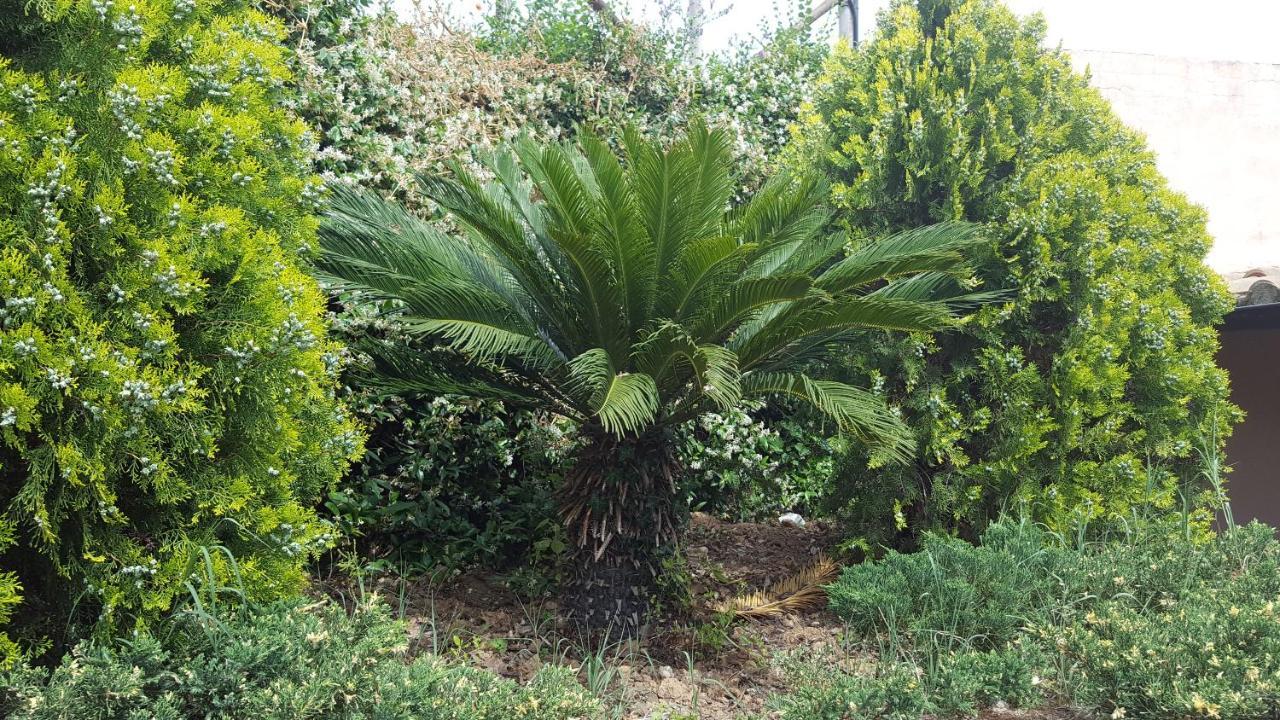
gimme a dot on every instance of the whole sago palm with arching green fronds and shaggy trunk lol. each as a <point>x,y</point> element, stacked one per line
<point>624,294</point>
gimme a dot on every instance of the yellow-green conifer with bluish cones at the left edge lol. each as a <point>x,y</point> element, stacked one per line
<point>166,380</point>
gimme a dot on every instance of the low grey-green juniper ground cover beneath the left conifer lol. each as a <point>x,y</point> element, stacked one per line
<point>284,663</point>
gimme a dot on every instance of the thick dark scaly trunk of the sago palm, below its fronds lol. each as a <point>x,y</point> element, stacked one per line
<point>624,517</point>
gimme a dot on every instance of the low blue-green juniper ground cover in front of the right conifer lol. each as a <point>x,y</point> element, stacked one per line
<point>1150,623</point>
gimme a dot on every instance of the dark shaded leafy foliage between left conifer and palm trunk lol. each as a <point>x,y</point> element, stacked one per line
<point>451,482</point>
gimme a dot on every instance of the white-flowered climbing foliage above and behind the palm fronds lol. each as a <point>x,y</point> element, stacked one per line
<point>396,98</point>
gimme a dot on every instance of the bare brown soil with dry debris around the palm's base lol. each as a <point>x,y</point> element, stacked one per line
<point>477,618</point>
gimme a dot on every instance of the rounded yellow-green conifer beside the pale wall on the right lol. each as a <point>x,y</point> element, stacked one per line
<point>1087,393</point>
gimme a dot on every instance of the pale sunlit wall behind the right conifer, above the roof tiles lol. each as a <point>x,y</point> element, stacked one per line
<point>1215,127</point>
